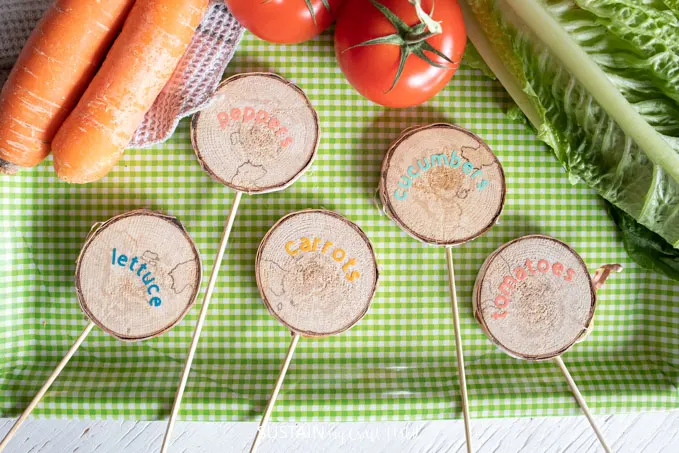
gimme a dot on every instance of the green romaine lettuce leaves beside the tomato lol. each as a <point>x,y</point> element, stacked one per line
<point>599,80</point>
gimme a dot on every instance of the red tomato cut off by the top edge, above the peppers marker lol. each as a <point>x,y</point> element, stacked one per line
<point>284,21</point>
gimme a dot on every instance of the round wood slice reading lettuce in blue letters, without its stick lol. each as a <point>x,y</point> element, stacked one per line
<point>111,295</point>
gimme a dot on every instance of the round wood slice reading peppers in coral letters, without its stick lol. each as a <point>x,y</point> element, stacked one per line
<point>261,92</point>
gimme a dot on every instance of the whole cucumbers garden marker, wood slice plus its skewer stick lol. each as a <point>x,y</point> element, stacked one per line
<point>443,186</point>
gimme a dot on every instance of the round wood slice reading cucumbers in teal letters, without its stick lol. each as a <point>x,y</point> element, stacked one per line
<point>416,142</point>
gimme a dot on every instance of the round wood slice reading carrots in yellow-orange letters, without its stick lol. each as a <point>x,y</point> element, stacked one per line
<point>344,234</point>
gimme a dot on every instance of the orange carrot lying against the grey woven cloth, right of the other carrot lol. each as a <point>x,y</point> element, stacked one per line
<point>140,62</point>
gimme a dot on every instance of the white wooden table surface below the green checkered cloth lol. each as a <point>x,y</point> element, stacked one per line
<point>650,432</point>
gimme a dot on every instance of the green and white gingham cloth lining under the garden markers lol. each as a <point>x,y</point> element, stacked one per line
<point>399,362</point>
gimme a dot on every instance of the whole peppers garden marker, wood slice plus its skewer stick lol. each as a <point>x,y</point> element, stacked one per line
<point>259,134</point>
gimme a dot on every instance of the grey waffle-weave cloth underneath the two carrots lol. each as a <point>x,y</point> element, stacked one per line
<point>192,83</point>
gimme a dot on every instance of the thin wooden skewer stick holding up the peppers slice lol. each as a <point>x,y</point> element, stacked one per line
<point>201,320</point>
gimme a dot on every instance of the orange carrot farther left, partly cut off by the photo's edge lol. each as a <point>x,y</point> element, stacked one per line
<point>55,66</point>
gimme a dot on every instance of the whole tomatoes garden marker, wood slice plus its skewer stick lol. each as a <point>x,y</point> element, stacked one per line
<point>534,298</point>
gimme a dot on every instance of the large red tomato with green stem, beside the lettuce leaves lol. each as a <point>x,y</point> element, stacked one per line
<point>372,69</point>
